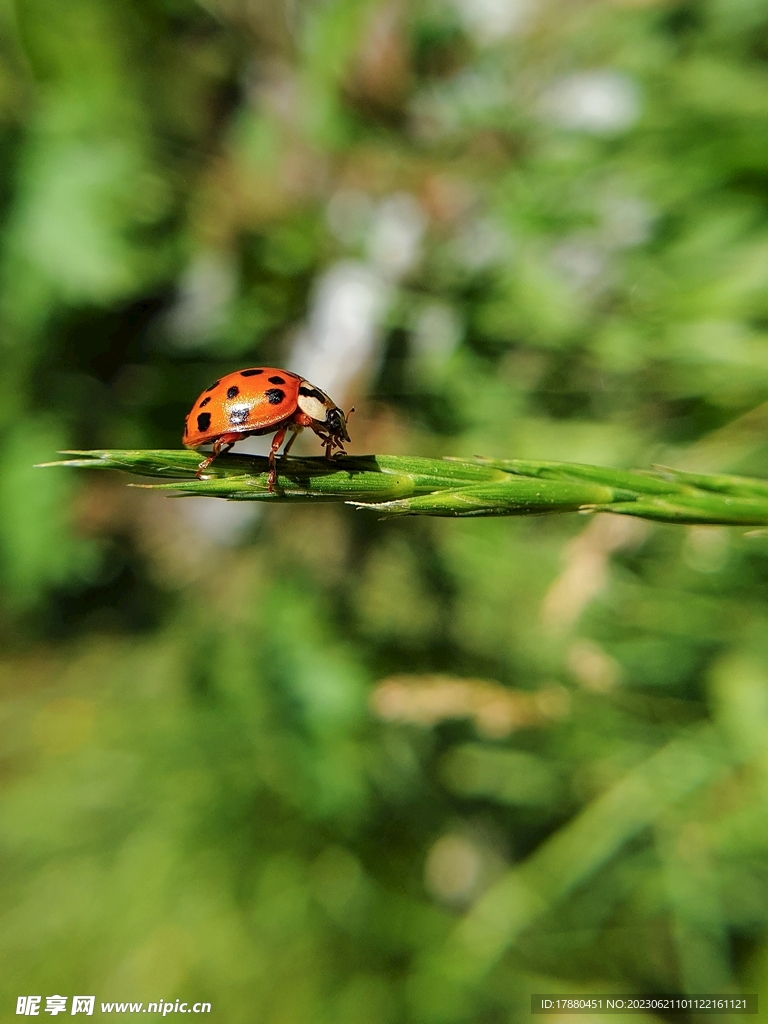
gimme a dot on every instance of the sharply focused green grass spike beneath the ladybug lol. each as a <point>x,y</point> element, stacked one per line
<point>411,486</point>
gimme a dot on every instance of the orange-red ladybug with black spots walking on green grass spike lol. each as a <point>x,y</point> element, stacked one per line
<point>263,401</point>
